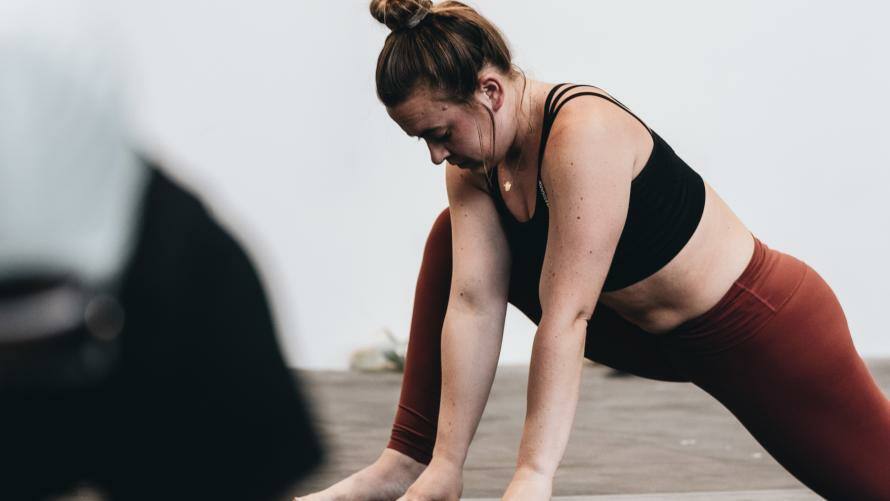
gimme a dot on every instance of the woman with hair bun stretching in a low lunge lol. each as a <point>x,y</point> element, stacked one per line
<point>565,204</point>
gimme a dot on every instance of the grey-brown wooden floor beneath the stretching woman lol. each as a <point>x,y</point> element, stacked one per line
<point>633,438</point>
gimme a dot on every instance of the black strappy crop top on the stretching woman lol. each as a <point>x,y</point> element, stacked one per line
<point>667,199</point>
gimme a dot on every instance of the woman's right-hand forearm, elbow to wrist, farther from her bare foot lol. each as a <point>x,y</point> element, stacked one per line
<point>553,386</point>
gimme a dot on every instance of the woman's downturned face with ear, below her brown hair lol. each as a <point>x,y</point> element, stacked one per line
<point>457,133</point>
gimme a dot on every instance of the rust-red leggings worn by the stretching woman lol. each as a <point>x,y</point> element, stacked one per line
<point>776,351</point>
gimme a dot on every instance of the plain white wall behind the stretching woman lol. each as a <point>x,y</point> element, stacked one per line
<point>268,108</point>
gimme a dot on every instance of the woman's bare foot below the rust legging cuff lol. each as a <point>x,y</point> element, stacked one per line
<point>384,480</point>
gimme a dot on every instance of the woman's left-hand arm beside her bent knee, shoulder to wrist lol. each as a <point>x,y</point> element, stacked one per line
<point>474,320</point>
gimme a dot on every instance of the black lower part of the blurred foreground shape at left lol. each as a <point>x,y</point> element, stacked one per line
<point>190,399</point>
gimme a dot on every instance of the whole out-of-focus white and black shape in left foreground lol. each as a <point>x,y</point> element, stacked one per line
<point>138,353</point>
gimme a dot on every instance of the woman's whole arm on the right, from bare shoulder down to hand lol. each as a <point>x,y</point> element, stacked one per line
<point>589,169</point>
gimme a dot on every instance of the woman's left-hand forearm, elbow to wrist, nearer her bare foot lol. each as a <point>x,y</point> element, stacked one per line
<point>471,343</point>
